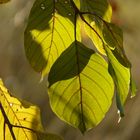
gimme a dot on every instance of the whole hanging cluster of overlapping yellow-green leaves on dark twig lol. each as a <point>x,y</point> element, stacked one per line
<point>80,86</point>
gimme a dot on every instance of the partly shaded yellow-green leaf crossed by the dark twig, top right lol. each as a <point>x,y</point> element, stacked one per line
<point>95,12</point>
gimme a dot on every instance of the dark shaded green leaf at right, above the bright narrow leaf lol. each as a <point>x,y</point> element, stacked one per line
<point>113,37</point>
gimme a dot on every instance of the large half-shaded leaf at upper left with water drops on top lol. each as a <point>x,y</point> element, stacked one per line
<point>49,32</point>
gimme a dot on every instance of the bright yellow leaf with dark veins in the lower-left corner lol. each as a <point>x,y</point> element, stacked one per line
<point>20,119</point>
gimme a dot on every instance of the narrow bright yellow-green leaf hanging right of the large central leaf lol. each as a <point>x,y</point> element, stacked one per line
<point>120,74</point>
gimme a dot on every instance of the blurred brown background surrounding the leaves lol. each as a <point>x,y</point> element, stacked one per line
<point>23,82</point>
